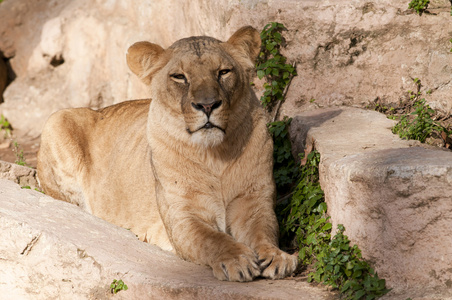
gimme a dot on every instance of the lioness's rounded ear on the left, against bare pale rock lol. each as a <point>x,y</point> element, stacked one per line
<point>144,59</point>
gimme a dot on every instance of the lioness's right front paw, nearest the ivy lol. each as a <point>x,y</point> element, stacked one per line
<point>276,264</point>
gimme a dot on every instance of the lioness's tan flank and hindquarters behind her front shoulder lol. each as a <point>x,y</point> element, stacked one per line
<point>86,154</point>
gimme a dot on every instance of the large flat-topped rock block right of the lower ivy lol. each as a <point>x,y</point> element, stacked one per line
<point>393,196</point>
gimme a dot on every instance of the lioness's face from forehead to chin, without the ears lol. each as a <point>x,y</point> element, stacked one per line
<point>203,82</point>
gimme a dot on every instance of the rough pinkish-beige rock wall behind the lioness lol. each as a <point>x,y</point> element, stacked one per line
<point>72,53</point>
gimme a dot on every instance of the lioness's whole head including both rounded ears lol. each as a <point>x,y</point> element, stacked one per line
<point>202,82</point>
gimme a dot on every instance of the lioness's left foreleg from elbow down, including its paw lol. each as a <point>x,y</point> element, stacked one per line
<point>197,236</point>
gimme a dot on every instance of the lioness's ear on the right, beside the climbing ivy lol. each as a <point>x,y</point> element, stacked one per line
<point>248,40</point>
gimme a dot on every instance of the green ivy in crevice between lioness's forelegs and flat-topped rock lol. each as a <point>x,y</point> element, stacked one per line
<point>336,263</point>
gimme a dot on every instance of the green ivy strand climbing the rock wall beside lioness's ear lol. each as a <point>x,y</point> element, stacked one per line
<point>272,66</point>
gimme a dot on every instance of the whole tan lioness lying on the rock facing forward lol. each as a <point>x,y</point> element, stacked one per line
<point>189,170</point>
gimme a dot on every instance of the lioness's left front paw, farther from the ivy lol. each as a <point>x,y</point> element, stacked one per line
<point>239,264</point>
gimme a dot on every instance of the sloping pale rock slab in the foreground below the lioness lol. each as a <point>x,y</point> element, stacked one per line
<point>52,249</point>
